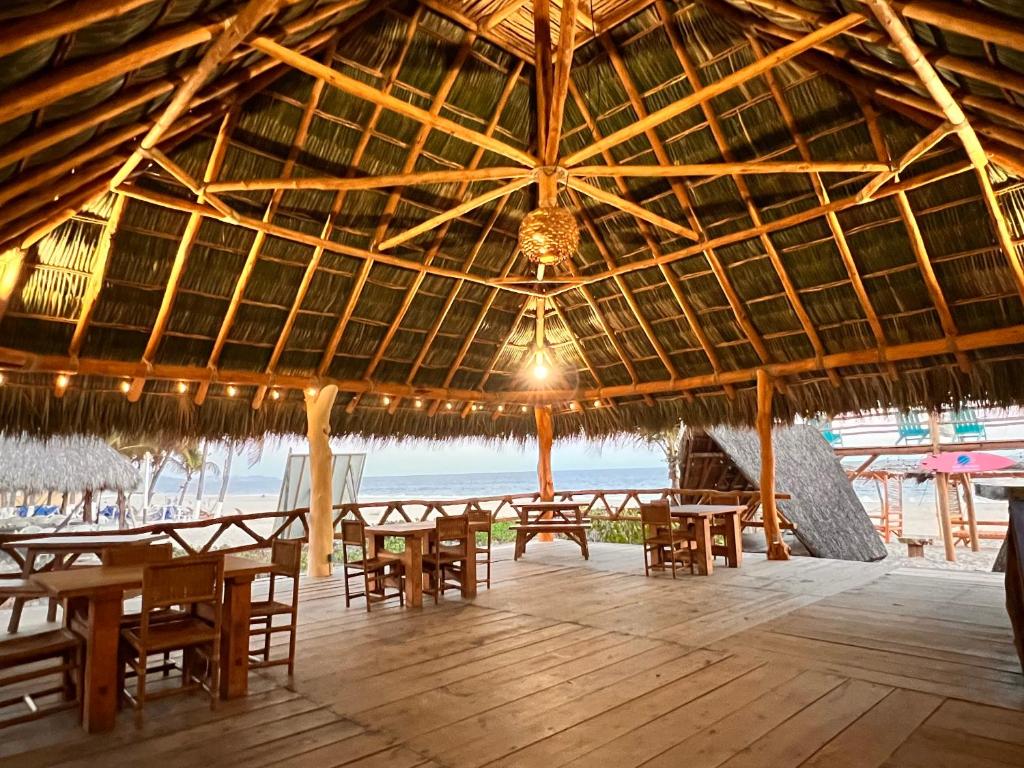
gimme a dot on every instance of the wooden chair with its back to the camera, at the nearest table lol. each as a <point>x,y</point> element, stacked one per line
<point>198,585</point>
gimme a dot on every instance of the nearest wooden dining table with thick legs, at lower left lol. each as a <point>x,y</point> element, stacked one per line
<point>99,593</point>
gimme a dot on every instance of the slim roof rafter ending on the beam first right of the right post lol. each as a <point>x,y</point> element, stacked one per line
<point>722,143</point>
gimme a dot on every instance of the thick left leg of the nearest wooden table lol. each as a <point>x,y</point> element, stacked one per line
<point>101,695</point>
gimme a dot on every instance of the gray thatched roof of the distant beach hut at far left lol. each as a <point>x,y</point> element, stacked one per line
<point>70,464</point>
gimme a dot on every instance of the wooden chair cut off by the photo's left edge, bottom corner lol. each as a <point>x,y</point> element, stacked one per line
<point>37,657</point>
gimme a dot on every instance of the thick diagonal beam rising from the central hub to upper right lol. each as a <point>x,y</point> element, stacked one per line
<point>717,89</point>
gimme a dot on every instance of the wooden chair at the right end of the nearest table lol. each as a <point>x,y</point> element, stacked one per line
<point>286,554</point>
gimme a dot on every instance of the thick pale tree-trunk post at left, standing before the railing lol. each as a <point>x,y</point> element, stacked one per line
<point>319,408</point>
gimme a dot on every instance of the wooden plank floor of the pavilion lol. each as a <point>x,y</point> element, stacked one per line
<point>566,663</point>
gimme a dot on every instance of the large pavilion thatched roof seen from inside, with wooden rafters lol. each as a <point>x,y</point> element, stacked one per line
<point>911,296</point>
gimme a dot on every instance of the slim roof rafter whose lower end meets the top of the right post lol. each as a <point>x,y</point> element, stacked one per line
<point>682,197</point>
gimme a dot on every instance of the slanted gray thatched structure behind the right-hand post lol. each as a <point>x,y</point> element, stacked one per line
<point>830,519</point>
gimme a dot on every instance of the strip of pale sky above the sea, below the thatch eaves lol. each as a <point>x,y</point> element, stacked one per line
<point>422,457</point>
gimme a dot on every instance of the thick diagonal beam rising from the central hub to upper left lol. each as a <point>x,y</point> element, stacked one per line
<point>369,94</point>
